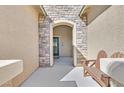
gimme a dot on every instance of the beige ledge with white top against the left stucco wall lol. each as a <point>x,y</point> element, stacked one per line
<point>10,69</point>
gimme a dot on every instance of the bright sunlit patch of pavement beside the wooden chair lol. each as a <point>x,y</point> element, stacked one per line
<point>77,75</point>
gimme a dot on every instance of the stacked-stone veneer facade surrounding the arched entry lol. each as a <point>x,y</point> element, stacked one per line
<point>60,12</point>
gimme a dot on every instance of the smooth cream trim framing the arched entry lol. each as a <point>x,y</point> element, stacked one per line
<point>70,24</point>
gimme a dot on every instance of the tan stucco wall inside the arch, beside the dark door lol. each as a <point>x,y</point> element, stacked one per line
<point>65,34</point>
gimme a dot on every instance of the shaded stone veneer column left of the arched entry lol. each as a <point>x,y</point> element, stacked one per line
<point>44,40</point>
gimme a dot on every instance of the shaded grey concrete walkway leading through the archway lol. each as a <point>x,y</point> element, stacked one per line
<point>51,76</point>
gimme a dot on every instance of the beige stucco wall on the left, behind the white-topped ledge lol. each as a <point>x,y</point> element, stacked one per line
<point>19,37</point>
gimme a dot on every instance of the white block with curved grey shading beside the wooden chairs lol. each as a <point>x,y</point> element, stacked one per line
<point>113,67</point>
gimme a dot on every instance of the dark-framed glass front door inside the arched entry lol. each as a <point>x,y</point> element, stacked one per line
<point>56,46</point>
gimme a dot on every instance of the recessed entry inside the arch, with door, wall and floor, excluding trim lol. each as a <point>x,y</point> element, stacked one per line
<point>62,44</point>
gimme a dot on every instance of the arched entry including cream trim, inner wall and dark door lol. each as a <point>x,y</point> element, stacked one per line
<point>62,40</point>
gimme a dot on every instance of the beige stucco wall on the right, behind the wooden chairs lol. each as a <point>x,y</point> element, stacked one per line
<point>107,32</point>
